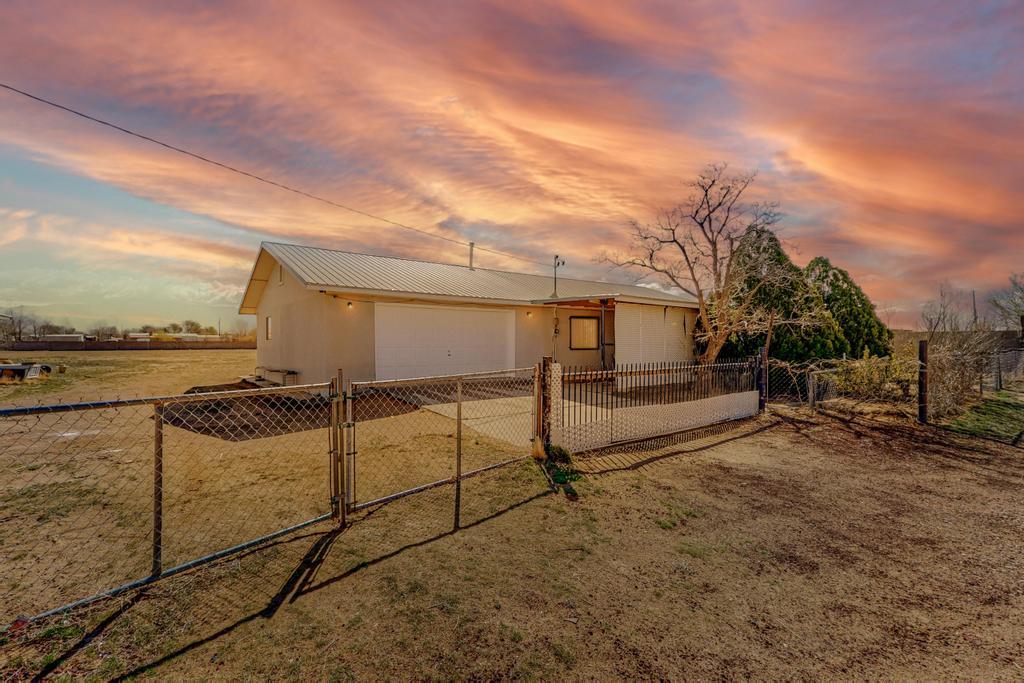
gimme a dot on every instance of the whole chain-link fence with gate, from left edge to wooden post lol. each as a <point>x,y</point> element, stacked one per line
<point>99,499</point>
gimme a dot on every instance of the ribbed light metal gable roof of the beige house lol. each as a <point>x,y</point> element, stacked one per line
<point>328,270</point>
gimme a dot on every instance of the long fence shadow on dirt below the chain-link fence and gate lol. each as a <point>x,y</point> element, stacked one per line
<point>276,575</point>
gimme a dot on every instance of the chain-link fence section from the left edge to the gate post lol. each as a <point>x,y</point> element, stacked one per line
<point>101,498</point>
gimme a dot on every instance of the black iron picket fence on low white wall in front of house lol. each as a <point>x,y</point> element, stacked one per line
<point>595,409</point>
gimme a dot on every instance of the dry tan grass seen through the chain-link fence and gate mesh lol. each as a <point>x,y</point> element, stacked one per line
<point>76,491</point>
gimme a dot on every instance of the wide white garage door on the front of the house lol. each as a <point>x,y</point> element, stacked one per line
<point>420,341</point>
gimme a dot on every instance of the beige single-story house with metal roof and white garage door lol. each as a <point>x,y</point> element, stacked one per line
<point>382,318</point>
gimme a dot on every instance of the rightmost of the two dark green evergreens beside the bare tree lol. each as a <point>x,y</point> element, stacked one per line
<point>850,308</point>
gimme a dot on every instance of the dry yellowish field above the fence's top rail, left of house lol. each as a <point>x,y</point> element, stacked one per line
<point>98,375</point>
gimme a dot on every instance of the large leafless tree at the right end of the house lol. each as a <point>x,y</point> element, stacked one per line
<point>694,247</point>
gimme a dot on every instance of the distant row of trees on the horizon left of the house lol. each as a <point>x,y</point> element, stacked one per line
<point>18,325</point>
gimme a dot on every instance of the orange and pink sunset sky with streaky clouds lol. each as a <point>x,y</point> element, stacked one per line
<point>891,134</point>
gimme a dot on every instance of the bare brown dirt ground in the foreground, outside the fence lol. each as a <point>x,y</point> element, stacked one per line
<point>792,546</point>
